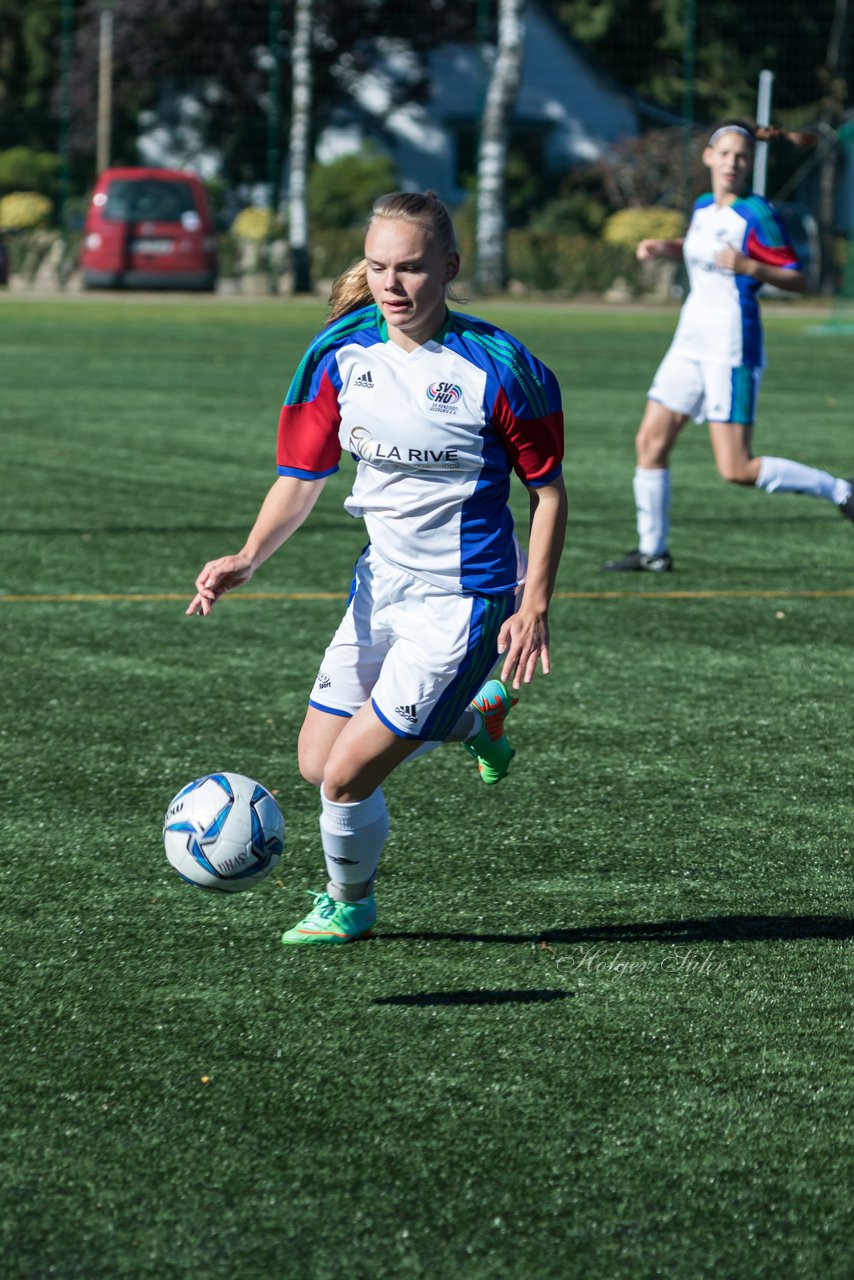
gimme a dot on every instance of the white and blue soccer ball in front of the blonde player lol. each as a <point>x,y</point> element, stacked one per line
<point>223,833</point>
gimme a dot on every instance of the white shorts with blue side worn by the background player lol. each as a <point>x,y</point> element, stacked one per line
<point>707,392</point>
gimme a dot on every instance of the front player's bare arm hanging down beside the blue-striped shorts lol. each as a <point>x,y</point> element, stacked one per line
<point>524,638</point>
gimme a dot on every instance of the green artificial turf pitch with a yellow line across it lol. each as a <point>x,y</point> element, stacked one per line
<point>604,1030</point>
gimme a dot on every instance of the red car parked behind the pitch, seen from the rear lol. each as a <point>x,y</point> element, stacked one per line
<point>149,230</point>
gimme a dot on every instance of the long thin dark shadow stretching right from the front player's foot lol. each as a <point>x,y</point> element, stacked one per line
<point>716,929</point>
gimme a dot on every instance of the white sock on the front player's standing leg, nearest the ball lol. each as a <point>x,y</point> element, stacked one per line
<point>353,838</point>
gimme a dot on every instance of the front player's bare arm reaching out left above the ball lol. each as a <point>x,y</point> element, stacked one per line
<point>287,506</point>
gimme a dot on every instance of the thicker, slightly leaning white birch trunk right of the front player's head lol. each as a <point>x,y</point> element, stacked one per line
<point>492,157</point>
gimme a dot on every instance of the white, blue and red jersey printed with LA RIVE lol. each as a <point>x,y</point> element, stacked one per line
<point>435,433</point>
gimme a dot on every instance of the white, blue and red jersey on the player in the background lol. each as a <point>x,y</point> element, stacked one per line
<point>720,321</point>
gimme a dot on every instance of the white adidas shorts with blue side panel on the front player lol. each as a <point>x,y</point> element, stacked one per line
<point>418,652</point>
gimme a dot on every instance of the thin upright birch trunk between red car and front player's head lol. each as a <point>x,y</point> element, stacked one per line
<point>300,141</point>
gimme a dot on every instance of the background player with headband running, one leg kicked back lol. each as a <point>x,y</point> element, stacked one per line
<point>736,244</point>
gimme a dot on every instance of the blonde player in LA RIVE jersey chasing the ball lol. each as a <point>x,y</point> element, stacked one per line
<point>437,409</point>
